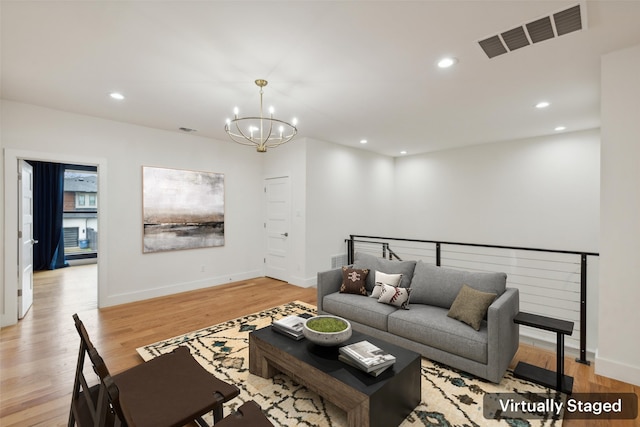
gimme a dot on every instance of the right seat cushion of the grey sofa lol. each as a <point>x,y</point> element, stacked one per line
<point>430,325</point>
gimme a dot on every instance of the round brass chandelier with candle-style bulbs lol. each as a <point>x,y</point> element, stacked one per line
<point>260,132</point>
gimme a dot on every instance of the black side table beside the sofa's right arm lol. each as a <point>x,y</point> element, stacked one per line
<point>556,380</point>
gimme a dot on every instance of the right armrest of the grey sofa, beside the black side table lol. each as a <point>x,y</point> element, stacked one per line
<point>504,335</point>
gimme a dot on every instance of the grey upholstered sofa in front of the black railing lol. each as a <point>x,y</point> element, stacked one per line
<point>425,326</point>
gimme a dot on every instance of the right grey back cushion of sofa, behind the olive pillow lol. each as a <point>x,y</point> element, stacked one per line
<point>440,286</point>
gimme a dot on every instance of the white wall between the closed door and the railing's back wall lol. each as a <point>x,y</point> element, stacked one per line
<point>336,191</point>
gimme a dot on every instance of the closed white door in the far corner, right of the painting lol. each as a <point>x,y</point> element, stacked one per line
<point>277,226</point>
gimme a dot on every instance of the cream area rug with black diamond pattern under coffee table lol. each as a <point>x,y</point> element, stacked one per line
<point>449,397</point>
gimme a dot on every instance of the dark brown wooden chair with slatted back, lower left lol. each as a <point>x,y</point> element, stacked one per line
<point>170,390</point>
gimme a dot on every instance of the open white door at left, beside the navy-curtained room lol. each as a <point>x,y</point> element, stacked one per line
<point>25,238</point>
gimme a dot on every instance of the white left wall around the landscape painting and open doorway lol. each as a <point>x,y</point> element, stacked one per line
<point>120,150</point>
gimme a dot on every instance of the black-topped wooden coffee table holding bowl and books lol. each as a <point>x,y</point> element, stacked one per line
<point>382,401</point>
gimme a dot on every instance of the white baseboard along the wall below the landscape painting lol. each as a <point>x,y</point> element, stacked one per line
<point>175,288</point>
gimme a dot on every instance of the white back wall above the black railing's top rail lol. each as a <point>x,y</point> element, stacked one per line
<point>541,192</point>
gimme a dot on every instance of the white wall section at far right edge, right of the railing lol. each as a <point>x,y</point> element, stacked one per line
<point>619,350</point>
